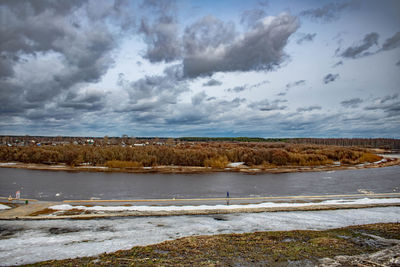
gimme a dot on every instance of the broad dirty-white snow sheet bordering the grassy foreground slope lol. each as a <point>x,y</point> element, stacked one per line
<point>33,241</point>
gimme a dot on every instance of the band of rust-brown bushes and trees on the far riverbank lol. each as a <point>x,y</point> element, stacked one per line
<point>197,154</point>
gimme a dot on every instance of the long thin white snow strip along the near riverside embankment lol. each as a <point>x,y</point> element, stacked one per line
<point>227,207</point>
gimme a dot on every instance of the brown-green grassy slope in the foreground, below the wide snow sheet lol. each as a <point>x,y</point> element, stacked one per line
<point>296,248</point>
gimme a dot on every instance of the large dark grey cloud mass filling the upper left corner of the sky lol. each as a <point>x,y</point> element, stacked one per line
<point>60,51</point>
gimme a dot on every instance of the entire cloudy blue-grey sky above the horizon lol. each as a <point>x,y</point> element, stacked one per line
<point>200,68</point>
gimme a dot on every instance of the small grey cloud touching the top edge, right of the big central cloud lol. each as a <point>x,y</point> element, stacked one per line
<point>328,12</point>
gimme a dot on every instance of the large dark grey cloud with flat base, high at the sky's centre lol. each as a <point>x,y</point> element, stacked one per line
<point>211,45</point>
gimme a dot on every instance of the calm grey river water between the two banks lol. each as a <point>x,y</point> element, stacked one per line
<point>61,185</point>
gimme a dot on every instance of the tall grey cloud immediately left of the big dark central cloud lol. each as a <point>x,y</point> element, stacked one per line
<point>161,35</point>
